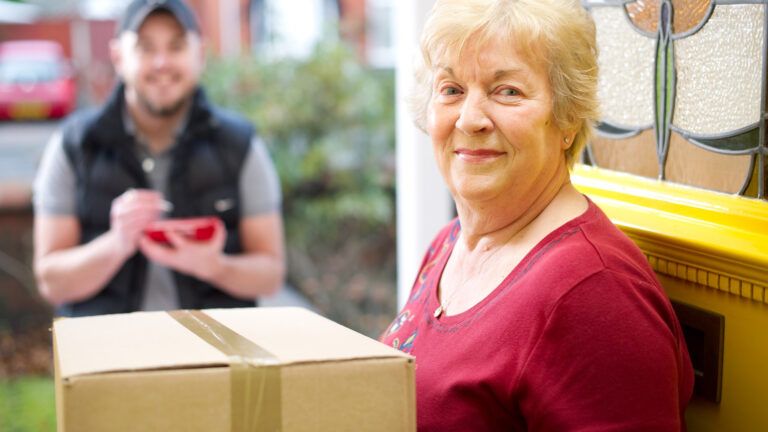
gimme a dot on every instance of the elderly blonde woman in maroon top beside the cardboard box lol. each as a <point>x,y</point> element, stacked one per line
<point>531,311</point>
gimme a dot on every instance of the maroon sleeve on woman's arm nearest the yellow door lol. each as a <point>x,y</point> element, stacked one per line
<point>607,360</point>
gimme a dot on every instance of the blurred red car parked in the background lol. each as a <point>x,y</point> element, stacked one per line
<point>36,81</point>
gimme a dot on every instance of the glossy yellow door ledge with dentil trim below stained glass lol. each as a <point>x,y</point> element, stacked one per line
<point>715,237</point>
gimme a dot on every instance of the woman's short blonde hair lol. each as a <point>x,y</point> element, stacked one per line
<point>557,33</point>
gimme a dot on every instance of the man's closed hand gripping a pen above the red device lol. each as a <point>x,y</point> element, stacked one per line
<point>130,215</point>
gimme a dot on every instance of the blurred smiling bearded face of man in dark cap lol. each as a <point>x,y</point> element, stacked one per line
<point>160,64</point>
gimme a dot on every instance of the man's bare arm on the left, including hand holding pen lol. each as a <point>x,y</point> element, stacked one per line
<point>68,272</point>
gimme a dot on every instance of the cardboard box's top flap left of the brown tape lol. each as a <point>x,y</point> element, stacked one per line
<point>141,340</point>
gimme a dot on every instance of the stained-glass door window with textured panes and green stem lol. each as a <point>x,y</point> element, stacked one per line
<point>682,92</point>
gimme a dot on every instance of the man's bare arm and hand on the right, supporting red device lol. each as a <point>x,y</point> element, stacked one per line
<point>258,271</point>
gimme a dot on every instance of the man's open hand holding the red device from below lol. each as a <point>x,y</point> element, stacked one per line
<point>200,259</point>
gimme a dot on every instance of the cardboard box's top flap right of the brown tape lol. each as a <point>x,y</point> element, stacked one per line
<point>297,335</point>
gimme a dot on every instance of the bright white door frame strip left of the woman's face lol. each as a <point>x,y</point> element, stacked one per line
<point>423,202</point>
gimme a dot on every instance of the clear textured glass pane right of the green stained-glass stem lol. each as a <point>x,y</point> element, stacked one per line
<point>719,72</point>
